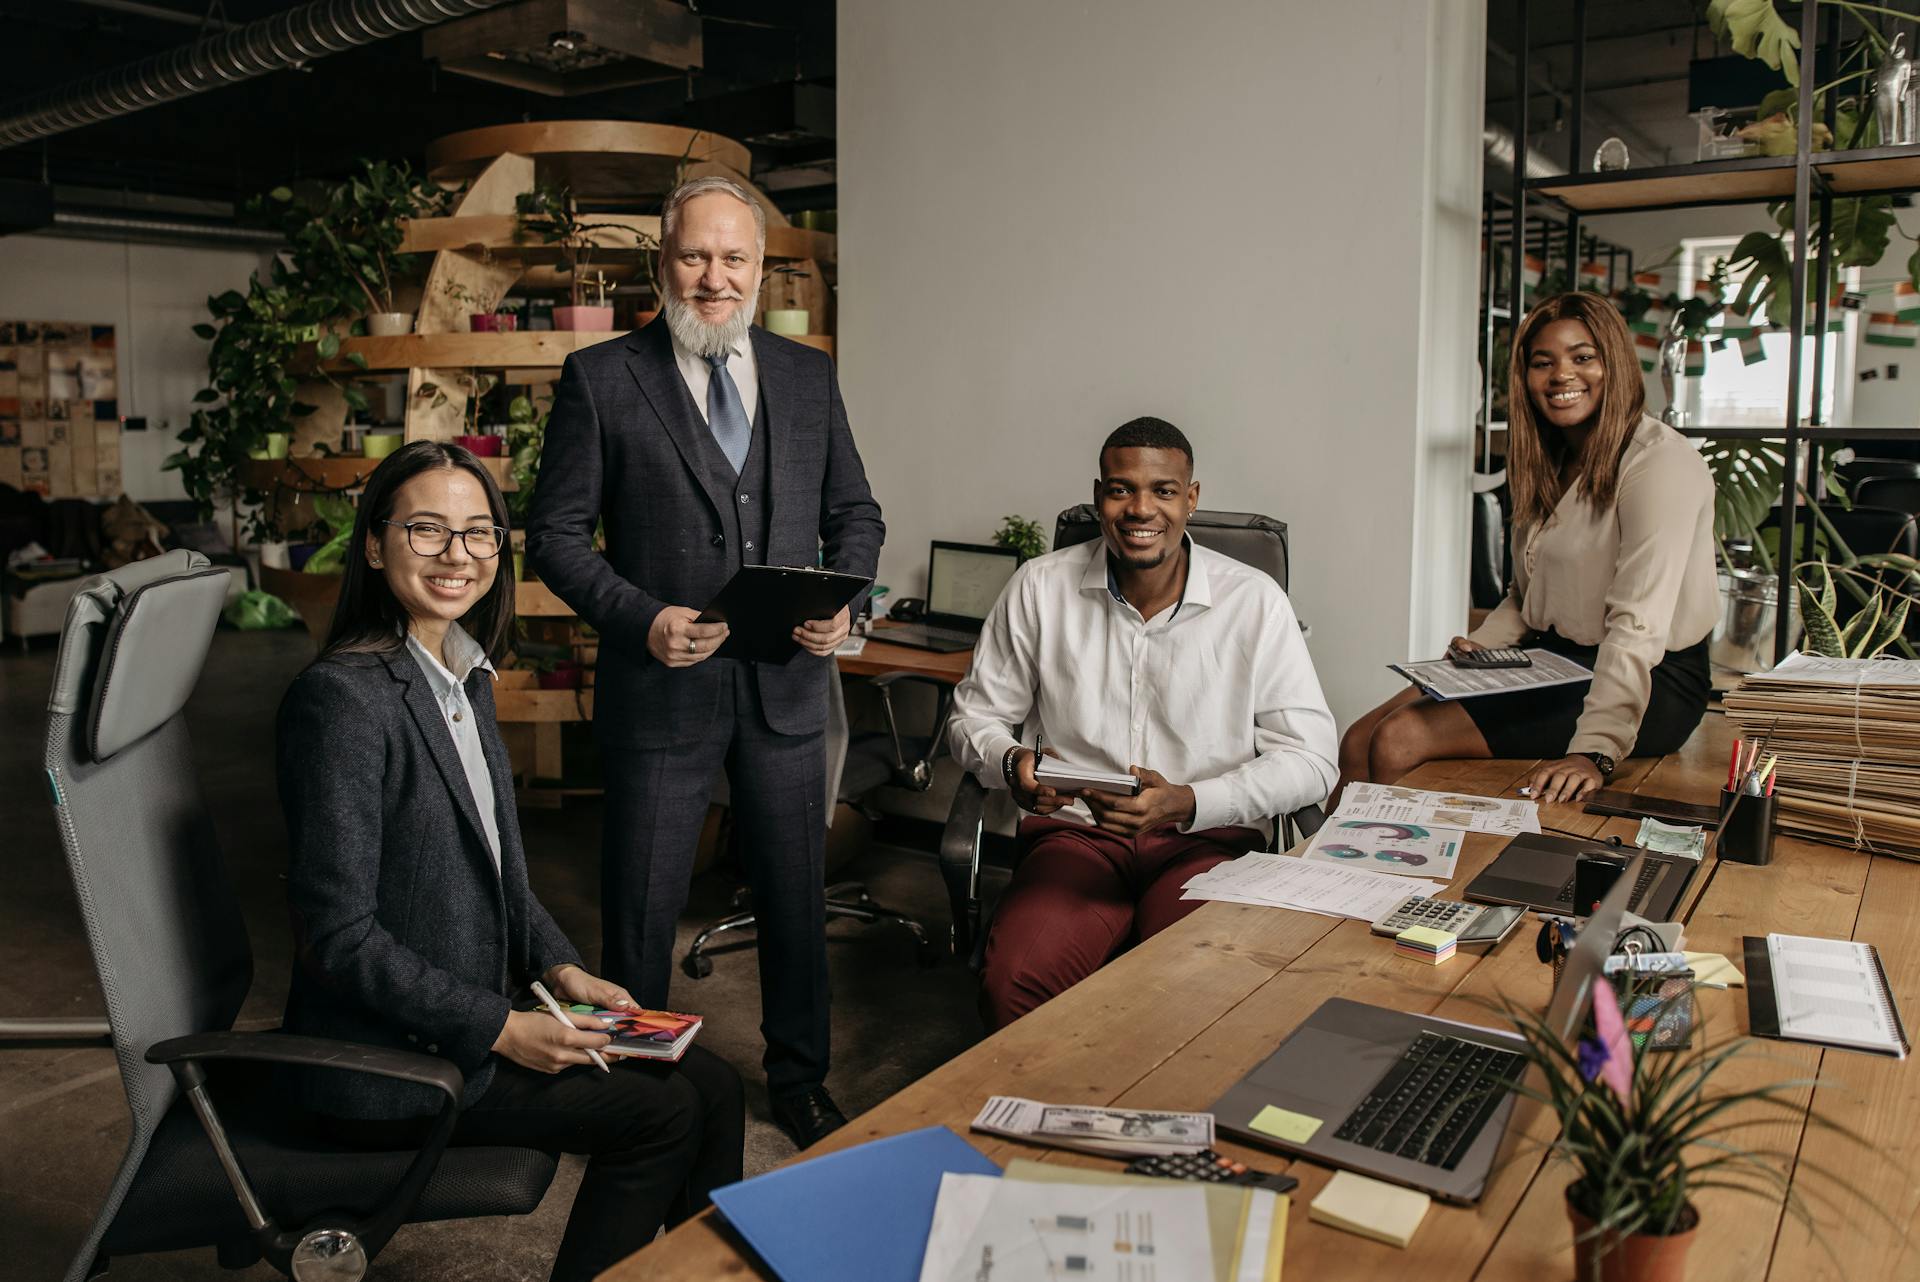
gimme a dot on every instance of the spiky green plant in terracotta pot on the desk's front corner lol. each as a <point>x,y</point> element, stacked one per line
<point>1648,1131</point>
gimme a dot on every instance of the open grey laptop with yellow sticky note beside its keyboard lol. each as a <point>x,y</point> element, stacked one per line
<point>1410,1099</point>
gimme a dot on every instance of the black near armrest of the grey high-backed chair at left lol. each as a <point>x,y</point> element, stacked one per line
<point>277,1245</point>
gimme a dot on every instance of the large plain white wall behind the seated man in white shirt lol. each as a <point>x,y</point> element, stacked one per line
<point>1255,220</point>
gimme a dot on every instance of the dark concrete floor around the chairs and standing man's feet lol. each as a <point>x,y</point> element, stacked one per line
<point>64,1118</point>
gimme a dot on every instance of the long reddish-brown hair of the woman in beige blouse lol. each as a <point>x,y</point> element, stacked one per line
<point>1535,448</point>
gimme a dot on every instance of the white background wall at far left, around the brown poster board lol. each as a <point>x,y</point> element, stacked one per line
<point>153,297</point>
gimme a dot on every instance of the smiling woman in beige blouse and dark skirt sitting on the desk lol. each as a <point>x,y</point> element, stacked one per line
<point>1612,567</point>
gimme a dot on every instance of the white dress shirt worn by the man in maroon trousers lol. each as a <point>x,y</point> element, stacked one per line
<point>1216,694</point>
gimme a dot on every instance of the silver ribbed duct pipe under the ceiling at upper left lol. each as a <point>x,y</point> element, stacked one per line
<point>241,55</point>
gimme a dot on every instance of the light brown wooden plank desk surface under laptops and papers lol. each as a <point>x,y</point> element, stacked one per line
<point>1228,984</point>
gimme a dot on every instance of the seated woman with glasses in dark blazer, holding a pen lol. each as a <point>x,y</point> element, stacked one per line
<point>414,918</point>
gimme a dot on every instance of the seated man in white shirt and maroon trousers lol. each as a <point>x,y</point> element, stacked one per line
<point>1140,653</point>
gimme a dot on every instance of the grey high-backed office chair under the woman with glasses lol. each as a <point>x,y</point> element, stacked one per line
<point>214,1156</point>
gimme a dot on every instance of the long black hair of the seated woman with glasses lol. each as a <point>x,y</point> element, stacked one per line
<point>370,619</point>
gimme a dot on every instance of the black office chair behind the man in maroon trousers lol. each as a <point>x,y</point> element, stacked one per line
<point>1253,540</point>
